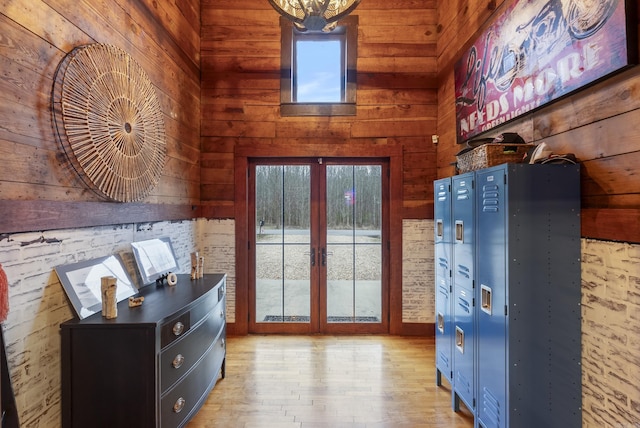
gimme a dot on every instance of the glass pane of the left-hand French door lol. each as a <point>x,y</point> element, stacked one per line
<point>283,292</point>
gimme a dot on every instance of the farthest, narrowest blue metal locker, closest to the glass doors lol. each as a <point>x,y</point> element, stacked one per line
<point>443,239</point>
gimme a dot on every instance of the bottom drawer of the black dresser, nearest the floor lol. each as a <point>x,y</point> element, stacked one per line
<point>179,404</point>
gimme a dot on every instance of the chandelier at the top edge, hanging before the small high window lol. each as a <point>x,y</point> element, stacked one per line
<point>314,15</point>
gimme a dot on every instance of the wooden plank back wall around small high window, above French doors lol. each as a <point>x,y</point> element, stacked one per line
<point>396,97</point>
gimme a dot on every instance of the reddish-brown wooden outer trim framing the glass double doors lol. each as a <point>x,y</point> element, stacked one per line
<point>243,152</point>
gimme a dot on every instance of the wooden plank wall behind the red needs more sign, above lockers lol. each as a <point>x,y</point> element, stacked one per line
<point>599,125</point>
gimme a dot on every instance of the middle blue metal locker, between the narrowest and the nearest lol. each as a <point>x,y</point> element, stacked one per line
<point>463,290</point>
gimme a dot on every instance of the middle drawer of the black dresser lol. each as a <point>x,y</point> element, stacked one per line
<point>180,356</point>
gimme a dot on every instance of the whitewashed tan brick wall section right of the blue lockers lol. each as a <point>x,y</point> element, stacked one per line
<point>610,334</point>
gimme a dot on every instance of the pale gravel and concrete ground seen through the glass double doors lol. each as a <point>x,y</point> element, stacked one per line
<point>346,298</point>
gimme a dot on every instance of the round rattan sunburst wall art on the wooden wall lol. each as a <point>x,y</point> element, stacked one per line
<point>108,120</point>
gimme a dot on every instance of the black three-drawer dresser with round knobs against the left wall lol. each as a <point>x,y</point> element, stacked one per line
<point>153,365</point>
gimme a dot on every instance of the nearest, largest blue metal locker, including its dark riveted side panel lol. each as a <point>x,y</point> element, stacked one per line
<point>528,293</point>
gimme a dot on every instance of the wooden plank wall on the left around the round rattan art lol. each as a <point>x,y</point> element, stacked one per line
<point>163,36</point>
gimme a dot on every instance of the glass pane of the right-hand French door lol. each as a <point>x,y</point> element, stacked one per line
<point>354,244</point>
